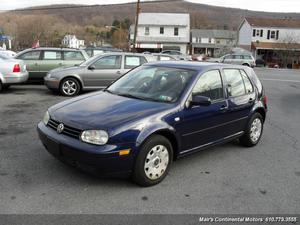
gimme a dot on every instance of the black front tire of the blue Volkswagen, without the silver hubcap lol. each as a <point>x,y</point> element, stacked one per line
<point>139,175</point>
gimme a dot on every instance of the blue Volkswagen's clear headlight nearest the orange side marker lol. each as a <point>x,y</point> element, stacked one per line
<point>96,137</point>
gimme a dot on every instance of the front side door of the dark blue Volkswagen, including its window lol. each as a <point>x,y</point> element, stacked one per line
<point>203,125</point>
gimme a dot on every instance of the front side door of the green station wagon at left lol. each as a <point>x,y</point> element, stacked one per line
<point>32,60</point>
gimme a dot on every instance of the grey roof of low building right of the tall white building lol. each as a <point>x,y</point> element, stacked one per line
<point>226,34</point>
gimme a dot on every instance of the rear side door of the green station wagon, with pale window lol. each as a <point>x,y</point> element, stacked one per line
<point>51,59</point>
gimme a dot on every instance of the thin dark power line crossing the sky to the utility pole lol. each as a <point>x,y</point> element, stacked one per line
<point>86,6</point>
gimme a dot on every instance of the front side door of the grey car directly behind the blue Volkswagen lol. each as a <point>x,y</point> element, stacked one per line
<point>103,71</point>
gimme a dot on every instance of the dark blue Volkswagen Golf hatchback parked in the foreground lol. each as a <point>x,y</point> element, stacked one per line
<point>155,114</point>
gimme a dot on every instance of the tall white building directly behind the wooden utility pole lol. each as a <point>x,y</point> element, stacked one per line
<point>162,31</point>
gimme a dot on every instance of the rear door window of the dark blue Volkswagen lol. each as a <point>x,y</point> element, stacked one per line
<point>235,83</point>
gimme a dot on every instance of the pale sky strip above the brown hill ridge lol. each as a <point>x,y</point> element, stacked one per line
<point>259,5</point>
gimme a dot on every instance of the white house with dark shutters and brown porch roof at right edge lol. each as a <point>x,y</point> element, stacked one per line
<point>268,39</point>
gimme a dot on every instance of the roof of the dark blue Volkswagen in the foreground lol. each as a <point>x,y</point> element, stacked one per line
<point>198,66</point>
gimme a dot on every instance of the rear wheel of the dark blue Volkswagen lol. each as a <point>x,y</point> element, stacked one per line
<point>253,131</point>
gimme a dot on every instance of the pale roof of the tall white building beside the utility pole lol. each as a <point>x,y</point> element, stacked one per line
<point>167,19</point>
